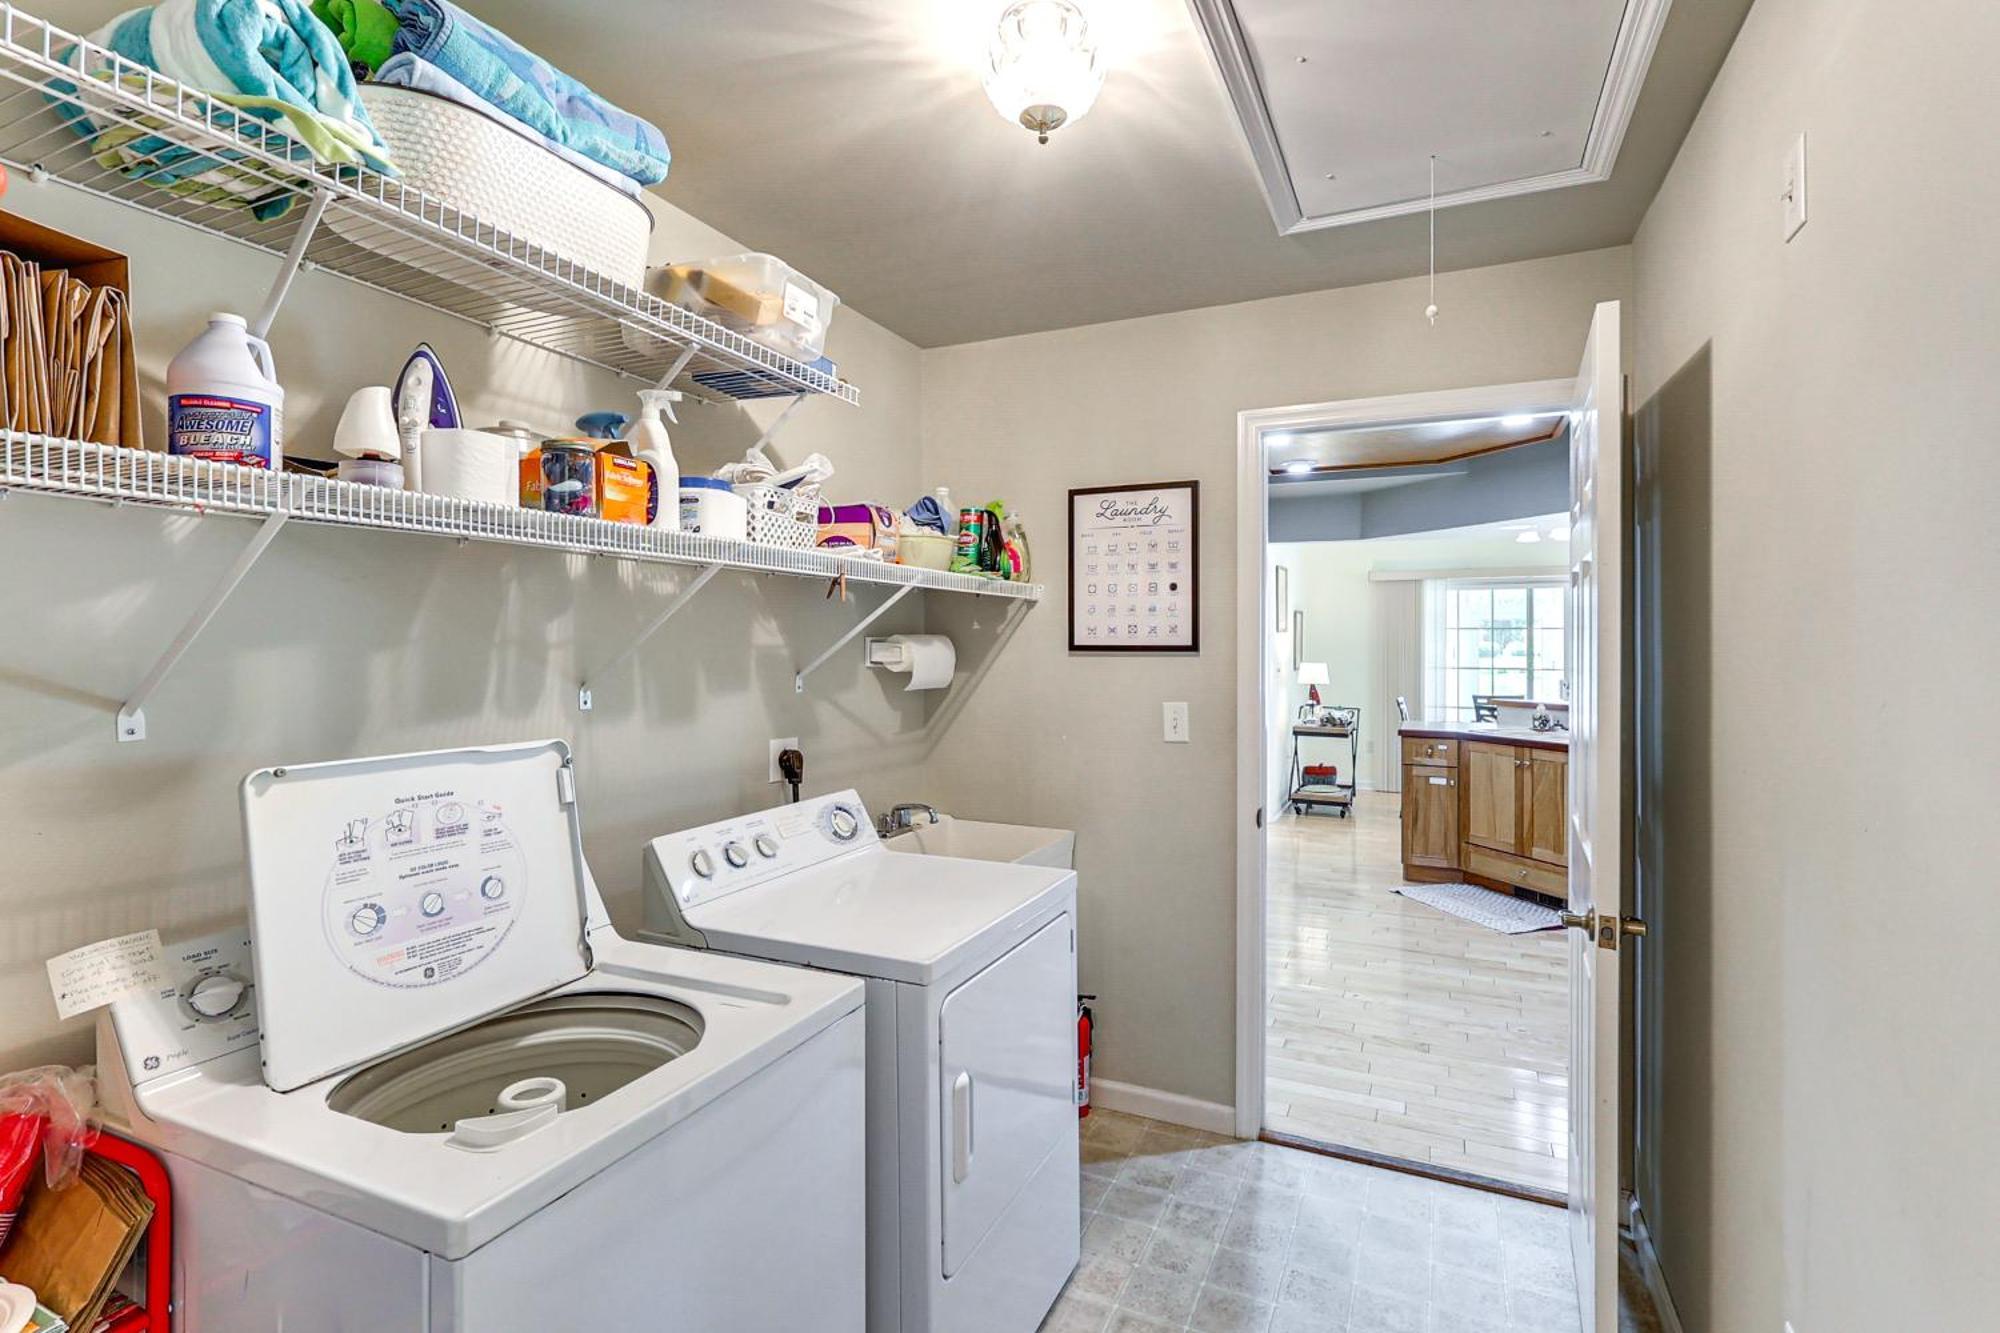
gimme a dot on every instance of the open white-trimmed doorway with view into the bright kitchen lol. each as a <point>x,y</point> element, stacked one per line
<point>1415,1002</point>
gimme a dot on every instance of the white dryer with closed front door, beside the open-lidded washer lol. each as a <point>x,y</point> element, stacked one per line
<point>971,966</point>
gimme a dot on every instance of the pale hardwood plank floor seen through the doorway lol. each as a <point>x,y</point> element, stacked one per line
<point>1401,1030</point>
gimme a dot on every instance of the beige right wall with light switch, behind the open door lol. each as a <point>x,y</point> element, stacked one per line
<point>1817,429</point>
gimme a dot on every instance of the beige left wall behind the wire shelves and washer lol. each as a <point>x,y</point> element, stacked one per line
<point>349,643</point>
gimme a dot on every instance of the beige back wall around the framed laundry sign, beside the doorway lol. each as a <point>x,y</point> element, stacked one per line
<point>1075,740</point>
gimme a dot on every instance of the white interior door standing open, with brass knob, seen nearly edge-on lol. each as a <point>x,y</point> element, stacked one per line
<point>1597,814</point>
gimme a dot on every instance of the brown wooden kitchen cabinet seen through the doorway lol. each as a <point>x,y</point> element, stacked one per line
<point>1487,810</point>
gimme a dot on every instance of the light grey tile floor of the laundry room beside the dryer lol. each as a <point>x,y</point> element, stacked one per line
<point>1197,1232</point>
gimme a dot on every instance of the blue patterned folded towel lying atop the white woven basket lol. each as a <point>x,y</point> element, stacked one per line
<point>507,75</point>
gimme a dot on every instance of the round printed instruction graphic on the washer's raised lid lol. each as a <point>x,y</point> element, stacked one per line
<point>423,912</point>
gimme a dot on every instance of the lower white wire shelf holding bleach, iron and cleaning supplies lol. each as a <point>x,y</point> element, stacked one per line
<point>109,473</point>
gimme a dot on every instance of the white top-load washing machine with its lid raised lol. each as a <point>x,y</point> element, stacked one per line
<point>431,1090</point>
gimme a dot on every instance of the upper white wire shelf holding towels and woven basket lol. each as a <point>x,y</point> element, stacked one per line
<point>417,247</point>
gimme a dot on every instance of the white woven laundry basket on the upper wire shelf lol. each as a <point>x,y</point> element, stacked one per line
<point>507,179</point>
